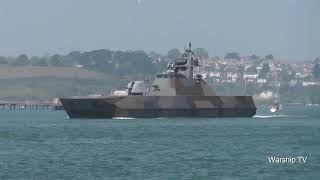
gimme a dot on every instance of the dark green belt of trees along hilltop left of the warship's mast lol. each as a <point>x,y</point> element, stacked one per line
<point>106,61</point>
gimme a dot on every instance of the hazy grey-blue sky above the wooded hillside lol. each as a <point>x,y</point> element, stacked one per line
<point>286,28</point>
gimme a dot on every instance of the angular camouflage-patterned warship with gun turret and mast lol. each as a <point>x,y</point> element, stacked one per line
<point>174,93</point>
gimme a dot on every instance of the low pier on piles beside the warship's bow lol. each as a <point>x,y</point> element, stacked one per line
<point>12,105</point>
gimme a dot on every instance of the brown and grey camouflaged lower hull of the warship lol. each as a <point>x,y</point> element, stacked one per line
<point>160,106</point>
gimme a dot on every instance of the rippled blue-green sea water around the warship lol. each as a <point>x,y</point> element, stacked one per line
<point>46,145</point>
